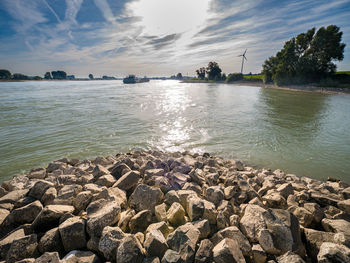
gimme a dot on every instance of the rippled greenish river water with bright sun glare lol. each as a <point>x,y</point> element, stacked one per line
<point>301,133</point>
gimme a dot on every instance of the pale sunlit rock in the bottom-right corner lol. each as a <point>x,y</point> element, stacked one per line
<point>330,252</point>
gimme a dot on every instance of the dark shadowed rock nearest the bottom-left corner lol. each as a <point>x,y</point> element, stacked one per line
<point>25,247</point>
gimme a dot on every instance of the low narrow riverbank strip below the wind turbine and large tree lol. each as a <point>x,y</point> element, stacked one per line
<point>303,88</point>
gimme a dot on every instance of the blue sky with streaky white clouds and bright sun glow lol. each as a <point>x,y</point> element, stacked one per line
<point>156,37</point>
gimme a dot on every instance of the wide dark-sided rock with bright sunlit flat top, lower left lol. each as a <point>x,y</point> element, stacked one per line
<point>49,217</point>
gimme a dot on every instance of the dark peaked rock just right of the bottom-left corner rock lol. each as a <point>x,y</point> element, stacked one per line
<point>51,241</point>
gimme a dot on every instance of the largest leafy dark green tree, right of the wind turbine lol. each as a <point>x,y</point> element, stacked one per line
<point>307,58</point>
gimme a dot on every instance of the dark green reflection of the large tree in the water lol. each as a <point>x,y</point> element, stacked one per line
<point>298,112</point>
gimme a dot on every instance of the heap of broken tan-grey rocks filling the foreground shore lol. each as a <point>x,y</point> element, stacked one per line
<point>171,207</point>
